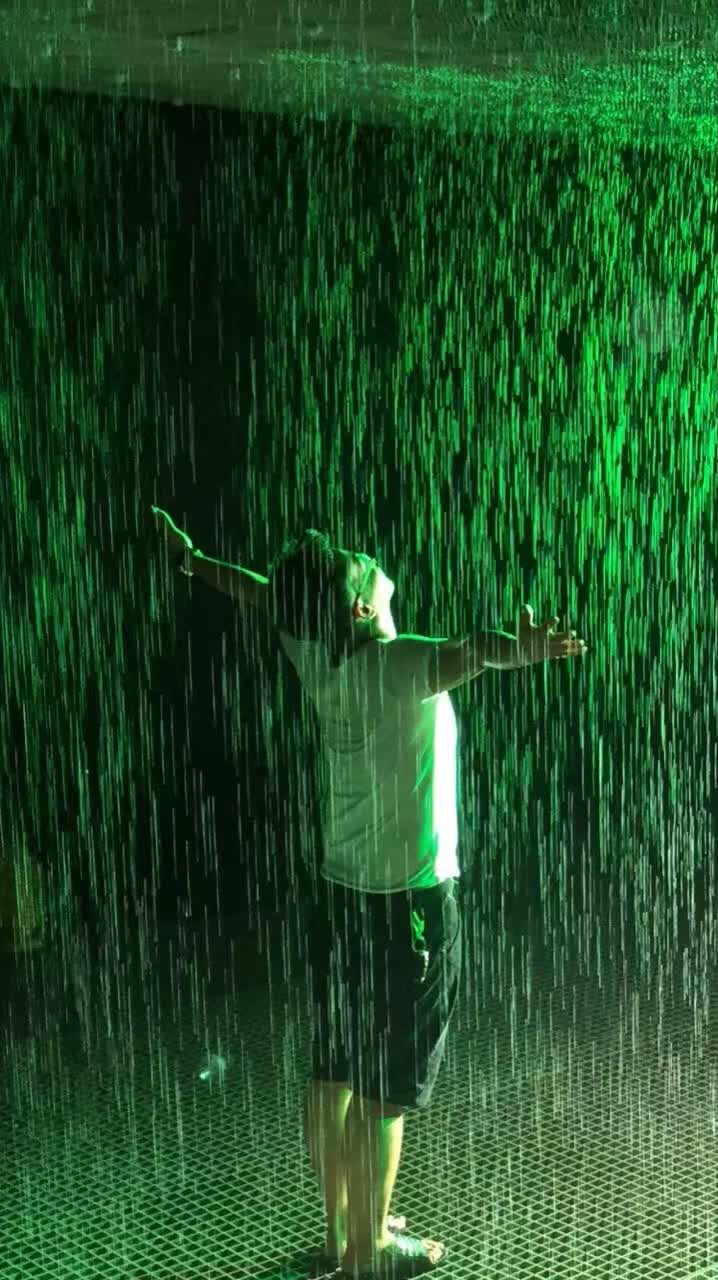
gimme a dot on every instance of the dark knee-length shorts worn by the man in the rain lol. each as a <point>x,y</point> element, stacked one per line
<point>381,1007</point>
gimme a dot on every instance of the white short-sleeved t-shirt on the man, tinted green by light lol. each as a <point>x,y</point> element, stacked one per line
<point>388,765</point>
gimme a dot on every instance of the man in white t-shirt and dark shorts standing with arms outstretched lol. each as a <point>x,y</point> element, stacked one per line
<point>385,939</point>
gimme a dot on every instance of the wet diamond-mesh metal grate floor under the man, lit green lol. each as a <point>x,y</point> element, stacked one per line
<point>574,1131</point>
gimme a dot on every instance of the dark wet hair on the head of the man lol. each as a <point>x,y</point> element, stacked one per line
<point>312,592</point>
